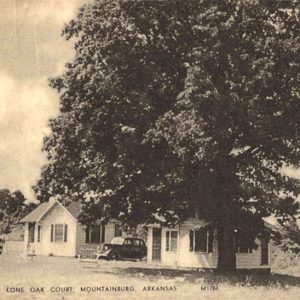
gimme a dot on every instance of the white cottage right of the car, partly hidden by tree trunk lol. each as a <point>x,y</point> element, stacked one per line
<point>194,244</point>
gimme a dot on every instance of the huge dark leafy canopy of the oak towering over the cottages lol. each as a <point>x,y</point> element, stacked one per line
<point>175,109</point>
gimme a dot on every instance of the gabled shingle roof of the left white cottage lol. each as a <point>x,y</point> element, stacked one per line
<point>73,208</point>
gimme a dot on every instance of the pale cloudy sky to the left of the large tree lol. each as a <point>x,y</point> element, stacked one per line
<point>31,51</point>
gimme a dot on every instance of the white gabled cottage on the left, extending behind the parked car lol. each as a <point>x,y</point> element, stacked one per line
<point>54,229</point>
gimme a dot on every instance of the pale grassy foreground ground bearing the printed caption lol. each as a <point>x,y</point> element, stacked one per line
<point>67,278</point>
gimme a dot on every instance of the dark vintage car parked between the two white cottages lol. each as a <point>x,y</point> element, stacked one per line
<point>123,248</point>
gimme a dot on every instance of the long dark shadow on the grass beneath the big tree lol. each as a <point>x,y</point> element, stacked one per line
<point>248,279</point>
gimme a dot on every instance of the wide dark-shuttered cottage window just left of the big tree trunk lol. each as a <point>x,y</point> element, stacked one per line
<point>201,240</point>
